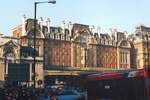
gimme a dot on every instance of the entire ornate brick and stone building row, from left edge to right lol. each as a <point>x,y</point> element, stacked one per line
<point>73,48</point>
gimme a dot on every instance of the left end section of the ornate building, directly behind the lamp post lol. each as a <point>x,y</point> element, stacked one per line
<point>24,33</point>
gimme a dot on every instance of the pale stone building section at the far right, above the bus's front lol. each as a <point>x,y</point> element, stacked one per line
<point>141,43</point>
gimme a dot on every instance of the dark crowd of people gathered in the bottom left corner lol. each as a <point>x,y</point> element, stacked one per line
<point>25,93</point>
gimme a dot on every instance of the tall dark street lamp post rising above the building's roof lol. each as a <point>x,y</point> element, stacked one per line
<point>35,22</point>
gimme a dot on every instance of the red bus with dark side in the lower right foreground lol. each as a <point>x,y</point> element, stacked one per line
<point>121,85</point>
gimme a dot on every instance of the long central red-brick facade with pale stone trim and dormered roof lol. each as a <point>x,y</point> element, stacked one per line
<point>86,50</point>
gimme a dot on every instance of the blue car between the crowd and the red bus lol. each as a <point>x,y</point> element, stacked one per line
<point>69,94</point>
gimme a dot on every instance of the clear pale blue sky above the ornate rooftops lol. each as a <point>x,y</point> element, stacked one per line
<point>124,15</point>
